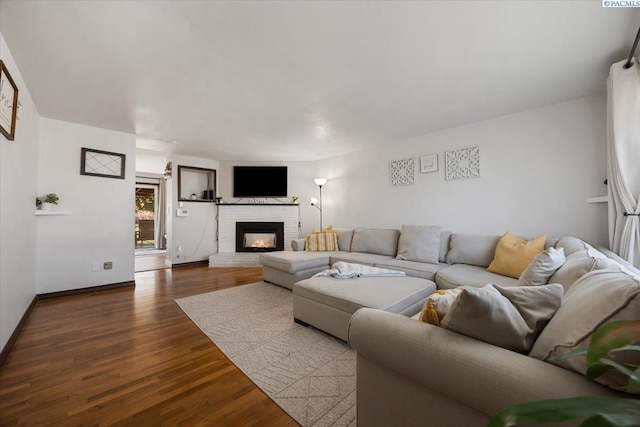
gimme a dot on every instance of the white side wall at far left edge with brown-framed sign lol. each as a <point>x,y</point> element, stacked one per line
<point>18,185</point>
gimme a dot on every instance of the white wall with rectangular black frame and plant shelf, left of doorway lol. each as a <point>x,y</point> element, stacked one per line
<point>101,227</point>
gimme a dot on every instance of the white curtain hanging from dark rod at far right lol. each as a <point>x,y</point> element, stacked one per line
<point>623,150</point>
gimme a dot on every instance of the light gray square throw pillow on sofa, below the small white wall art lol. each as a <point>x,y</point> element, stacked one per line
<point>420,243</point>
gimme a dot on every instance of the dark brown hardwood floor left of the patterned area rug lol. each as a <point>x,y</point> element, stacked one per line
<point>130,357</point>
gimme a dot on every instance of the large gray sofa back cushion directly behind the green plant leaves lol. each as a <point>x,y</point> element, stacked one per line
<point>597,298</point>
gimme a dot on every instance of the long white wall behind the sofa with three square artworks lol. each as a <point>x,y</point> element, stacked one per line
<point>537,168</point>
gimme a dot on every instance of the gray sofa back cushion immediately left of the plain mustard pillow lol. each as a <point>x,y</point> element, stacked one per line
<point>472,249</point>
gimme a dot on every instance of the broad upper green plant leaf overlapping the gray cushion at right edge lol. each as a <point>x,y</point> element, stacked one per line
<point>612,336</point>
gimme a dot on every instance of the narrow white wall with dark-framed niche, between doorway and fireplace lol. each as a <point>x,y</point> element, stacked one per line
<point>195,234</point>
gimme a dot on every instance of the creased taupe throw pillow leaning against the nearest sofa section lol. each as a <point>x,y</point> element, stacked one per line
<point>510,318</point>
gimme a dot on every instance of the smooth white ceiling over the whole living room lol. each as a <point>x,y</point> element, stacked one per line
<point>306,80</point>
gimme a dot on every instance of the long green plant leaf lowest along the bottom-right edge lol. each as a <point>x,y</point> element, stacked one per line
<point>558,410</point>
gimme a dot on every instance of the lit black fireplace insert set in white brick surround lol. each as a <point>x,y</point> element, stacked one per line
<point>259,236</point>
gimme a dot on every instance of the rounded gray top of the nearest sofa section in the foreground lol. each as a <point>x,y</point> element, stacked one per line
<point>475,374</point>
